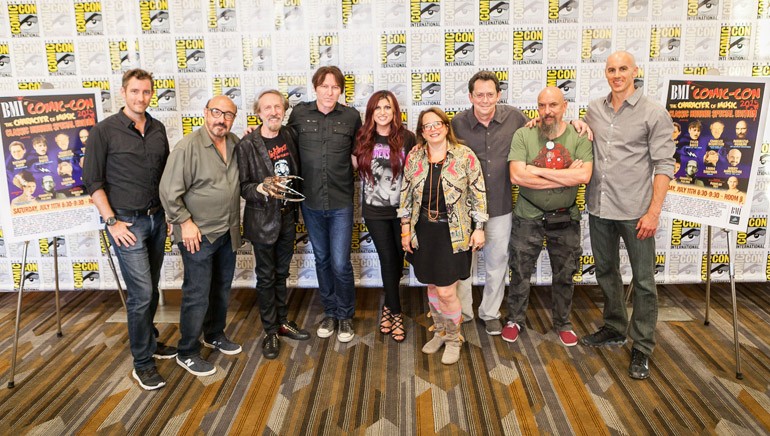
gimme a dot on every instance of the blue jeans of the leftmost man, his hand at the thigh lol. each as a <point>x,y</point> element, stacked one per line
<point>140,266</point>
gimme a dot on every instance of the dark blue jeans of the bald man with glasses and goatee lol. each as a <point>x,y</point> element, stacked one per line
<point>208,276</point>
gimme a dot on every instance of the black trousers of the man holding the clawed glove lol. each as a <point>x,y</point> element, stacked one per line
<point>272,268</point>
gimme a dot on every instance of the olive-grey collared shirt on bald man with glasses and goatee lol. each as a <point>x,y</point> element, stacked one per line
<point>197,183</point>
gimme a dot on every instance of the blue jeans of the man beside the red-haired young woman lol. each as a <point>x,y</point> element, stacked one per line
<point>330,233</point>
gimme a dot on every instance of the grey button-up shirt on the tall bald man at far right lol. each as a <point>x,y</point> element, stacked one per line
<point>630,146</point>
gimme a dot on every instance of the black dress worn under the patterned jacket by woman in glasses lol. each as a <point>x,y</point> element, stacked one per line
<point>434,262</point>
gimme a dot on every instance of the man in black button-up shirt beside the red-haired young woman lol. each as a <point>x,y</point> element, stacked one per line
<point>325,133</point>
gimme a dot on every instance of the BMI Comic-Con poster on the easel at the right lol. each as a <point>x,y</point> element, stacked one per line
<point>718,128</point>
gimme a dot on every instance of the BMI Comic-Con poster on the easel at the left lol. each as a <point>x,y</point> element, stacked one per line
<point>44,137</point>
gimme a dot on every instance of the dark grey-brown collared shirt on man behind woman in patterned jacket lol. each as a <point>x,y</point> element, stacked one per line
<point>492,144</point>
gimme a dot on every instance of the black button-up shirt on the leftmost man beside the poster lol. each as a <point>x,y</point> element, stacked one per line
<point>127,165</point>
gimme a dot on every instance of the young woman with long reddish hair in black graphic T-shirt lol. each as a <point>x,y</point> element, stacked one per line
<point>382,144</point>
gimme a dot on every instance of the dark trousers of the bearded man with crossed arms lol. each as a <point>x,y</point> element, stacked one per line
<point>564,250</point>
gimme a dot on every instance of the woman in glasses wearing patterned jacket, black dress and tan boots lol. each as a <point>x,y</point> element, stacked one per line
<point>443,211</point>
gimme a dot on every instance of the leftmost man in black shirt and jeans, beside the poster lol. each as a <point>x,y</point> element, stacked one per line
<point>126,155</point>
